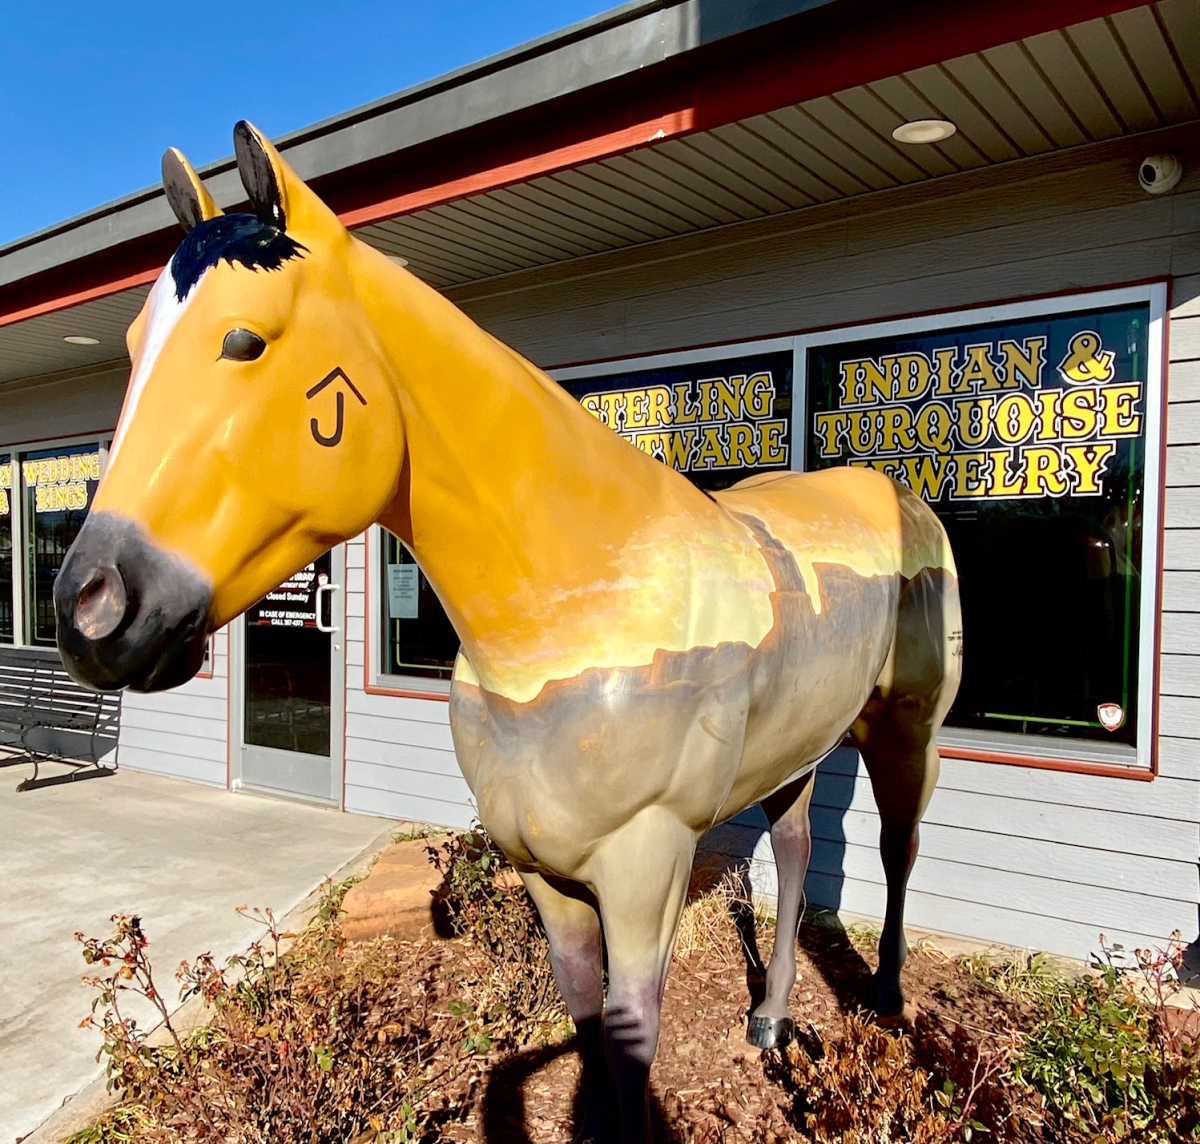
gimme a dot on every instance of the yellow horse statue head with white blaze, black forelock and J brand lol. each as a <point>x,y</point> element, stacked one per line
<point>260,428</point>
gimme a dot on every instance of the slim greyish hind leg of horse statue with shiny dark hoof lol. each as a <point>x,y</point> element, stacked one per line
<point>771,1025</point>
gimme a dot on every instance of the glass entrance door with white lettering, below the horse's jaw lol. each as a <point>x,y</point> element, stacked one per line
<point>293,685</point>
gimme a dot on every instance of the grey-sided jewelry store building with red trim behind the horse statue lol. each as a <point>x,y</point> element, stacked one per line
<point>706,229</point>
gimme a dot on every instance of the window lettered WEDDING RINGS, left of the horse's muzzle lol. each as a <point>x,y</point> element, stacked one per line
<point>58,486</point>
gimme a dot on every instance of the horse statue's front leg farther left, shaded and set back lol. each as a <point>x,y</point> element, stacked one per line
<point>577,956</point>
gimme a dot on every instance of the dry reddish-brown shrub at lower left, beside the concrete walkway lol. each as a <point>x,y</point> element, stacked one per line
<point>323,1044</point>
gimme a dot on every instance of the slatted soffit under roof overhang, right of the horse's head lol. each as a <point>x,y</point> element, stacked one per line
<point>1103,80</point>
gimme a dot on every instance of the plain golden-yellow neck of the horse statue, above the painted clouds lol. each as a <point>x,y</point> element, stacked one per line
<point>512,495</point>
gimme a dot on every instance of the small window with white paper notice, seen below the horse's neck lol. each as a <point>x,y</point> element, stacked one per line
<point>418,638</point>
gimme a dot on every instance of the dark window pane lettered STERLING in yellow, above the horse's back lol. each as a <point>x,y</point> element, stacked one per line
<point>718,421</point>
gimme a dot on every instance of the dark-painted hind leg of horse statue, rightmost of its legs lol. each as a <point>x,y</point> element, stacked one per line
<point>897,735</point>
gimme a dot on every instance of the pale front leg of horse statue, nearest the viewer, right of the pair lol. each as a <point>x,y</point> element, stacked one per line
<point>641,877</point>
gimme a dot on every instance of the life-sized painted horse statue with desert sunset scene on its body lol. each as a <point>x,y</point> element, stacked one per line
<point>640,661</point>
